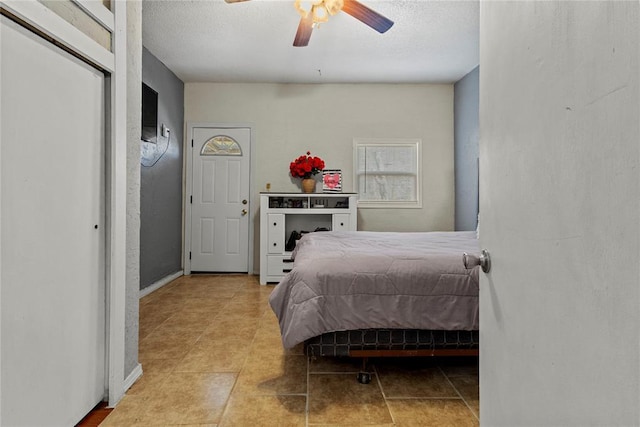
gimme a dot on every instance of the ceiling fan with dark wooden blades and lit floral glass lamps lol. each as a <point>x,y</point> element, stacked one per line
<point>319,10</point>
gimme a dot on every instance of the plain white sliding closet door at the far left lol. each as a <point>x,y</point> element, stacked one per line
<point>52,243</point>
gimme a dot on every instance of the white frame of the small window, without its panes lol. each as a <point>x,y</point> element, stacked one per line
<point>363,201</point>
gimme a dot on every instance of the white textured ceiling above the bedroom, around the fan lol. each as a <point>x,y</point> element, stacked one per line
<point>432,41</point>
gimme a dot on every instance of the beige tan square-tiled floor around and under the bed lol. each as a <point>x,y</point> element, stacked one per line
<point>211,354</point>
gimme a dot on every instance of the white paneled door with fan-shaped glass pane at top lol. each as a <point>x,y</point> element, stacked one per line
<point>220,199</point>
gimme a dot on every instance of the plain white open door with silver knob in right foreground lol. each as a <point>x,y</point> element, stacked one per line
<point>560,213</point>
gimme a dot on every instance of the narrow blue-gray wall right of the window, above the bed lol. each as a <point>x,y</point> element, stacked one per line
<point>466,137</point>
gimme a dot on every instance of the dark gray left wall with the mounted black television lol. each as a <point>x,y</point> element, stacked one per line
<point>161,178</point>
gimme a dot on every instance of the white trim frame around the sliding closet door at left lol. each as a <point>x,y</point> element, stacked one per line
<point>113,63</point>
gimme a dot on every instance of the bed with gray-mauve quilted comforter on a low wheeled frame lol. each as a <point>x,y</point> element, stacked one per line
<point>371,294</point>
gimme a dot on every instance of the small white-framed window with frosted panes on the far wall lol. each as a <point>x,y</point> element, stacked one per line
<point>387,172</point>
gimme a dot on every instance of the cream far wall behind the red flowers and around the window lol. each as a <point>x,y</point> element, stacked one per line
<point>289,119</point>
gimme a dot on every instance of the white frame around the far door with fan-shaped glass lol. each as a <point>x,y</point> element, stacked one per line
<point>188,141</point>
